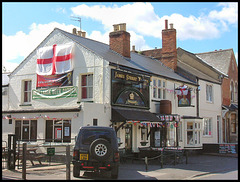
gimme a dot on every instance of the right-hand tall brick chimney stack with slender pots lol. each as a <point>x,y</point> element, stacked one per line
<point>169,44</point>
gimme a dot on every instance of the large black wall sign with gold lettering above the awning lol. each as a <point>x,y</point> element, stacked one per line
<point>129,89</point>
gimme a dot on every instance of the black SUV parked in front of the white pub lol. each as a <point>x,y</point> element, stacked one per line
<point>96,149</point>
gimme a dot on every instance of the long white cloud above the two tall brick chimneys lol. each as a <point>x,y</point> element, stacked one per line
<point>141,18</point>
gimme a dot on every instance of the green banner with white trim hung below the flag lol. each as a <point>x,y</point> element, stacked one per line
<point>55,93</point>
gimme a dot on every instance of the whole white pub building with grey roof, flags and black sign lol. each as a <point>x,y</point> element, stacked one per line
<point>105,85</point>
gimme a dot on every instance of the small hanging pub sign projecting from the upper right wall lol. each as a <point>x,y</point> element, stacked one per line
<point>184,96</point>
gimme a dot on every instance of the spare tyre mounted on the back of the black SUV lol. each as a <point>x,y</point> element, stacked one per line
<point>100,149</point>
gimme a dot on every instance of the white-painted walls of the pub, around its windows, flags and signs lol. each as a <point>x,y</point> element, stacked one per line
<point>87,62</point>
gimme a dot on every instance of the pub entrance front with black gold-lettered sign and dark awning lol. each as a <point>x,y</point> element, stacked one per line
<point>134,123</point>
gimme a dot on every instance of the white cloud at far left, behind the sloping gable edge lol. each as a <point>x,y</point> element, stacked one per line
<point>22,44</point>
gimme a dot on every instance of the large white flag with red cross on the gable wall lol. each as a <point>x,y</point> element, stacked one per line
<point>53,60</point>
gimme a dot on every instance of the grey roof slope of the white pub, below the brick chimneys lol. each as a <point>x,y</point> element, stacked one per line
<point>137,61</point>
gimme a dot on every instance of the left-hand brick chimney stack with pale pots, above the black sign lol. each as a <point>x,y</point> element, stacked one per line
<point>119,40</point>
